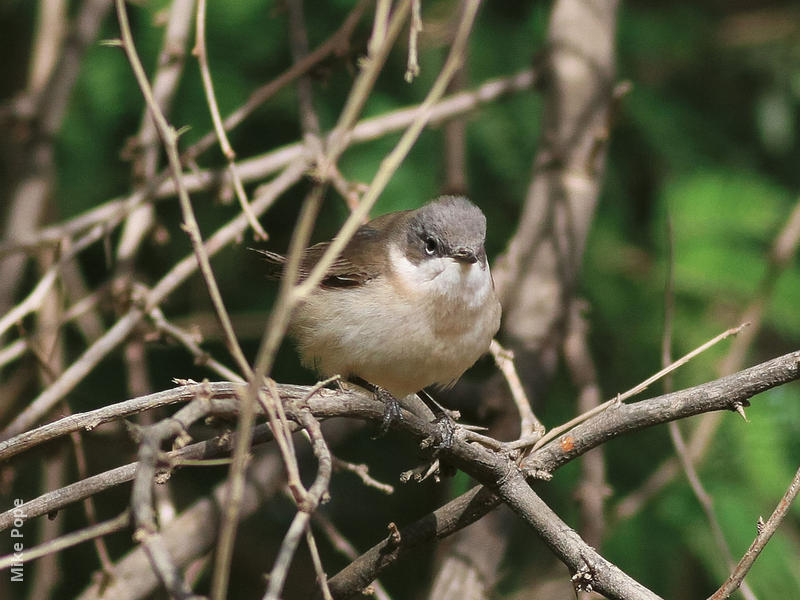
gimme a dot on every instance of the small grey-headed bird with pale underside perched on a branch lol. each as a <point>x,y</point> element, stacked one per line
<point>409,303</point>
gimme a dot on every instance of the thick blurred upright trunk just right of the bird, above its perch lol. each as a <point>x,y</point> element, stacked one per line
<point>536,275</point>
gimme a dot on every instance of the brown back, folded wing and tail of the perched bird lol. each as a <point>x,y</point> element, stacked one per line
<point>359,262</point>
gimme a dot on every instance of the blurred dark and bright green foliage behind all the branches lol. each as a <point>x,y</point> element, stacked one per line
<point>707,138</point>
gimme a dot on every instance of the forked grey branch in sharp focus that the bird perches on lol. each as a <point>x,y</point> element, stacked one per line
<point>502,475</point>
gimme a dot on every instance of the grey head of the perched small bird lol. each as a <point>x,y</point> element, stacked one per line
<point>450,226</point>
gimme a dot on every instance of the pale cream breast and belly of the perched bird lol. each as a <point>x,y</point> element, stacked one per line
<point>403,332</point>
